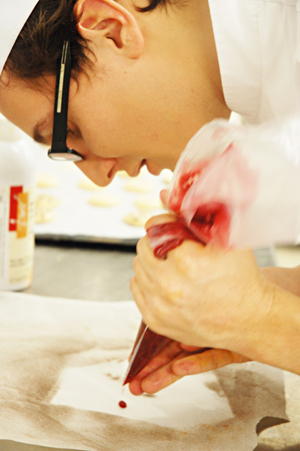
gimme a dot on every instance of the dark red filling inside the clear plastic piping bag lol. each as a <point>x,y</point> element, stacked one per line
<point>211,223</point>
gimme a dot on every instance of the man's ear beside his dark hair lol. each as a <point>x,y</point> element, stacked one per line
<point>106,22</point>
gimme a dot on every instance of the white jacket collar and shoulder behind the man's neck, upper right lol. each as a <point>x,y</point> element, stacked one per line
<point>258,46</point>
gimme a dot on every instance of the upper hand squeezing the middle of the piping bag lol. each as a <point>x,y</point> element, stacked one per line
<point>202,296</point>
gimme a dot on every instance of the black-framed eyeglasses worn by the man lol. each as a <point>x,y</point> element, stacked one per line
<point>59,150</point>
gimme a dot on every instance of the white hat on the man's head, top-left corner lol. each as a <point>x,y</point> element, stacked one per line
<point>14,14</point>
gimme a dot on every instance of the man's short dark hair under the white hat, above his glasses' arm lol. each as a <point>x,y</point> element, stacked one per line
<point>37,49</point>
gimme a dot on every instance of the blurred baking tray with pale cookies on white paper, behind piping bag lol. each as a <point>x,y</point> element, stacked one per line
<point>74,218</point>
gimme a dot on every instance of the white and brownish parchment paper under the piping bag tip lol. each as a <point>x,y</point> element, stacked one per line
<point>61,368</point>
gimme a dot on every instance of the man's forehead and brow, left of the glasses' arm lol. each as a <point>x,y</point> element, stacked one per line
<point>24,103</point>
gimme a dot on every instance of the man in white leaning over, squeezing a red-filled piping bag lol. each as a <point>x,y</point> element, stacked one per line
<point>145,77</point>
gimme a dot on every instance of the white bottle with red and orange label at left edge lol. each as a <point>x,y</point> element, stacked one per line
<point>17,208</point>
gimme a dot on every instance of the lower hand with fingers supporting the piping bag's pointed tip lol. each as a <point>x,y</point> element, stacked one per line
<point>177,361</point>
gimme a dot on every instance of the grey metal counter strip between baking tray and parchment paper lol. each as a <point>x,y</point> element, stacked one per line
<point>87,271</point>
